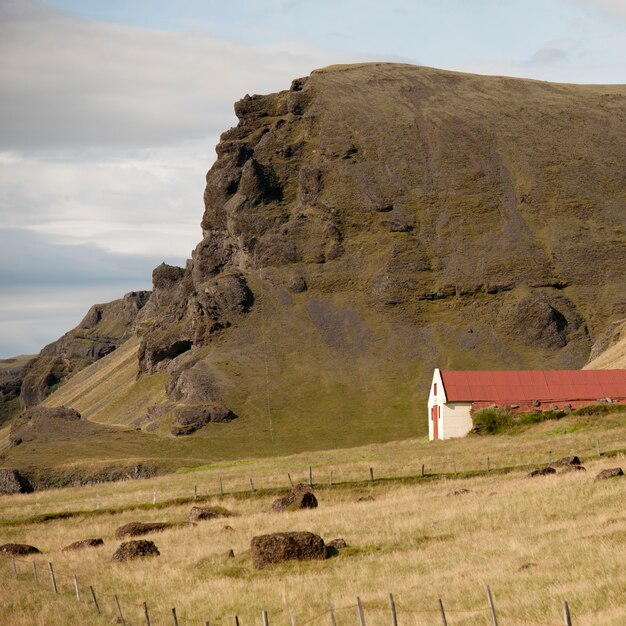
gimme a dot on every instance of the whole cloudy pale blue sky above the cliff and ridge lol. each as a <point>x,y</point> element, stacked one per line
<point>110,111</point>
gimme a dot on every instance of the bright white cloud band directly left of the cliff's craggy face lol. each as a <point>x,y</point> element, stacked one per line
<point>137,202</point>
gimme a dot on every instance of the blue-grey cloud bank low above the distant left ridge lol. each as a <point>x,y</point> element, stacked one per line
<point>47,288</point>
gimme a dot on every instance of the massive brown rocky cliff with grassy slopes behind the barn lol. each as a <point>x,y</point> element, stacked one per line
<point>375,221</point>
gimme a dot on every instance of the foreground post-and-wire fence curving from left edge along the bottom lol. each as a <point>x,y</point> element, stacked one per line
<point>113,608</point>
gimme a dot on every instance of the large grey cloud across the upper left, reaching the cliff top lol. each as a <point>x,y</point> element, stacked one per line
<point>67,82</point>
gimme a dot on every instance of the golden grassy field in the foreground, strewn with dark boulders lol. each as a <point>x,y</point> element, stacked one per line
<point>534,541</point>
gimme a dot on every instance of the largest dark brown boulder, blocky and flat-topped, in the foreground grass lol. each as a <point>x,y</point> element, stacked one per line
<point>280,547</point>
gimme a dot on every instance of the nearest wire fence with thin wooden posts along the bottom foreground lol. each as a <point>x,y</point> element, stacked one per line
<point>111,607</point>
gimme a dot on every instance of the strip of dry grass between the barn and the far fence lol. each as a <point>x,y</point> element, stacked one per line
<point>571,435</point>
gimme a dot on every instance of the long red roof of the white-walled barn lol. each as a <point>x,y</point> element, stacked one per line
<point>529,385</point>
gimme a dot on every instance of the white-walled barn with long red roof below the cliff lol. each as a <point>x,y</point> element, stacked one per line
<point>453,394</point>
